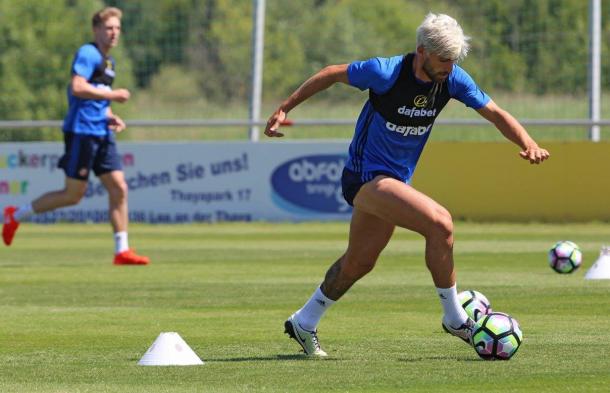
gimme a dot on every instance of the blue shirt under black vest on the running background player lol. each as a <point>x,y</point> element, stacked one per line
<point>87,116</point>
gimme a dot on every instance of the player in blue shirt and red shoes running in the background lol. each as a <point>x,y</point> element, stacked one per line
<point>89,138</point>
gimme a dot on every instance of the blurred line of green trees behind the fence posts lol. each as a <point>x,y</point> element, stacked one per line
<point>532,46</point>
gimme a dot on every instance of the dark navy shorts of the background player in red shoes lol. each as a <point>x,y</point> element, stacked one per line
<point>84,153</point>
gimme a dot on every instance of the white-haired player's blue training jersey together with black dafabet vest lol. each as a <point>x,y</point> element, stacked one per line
<point>380,146</point>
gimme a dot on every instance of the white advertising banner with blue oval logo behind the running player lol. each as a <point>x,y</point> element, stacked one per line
<point>173,182</point>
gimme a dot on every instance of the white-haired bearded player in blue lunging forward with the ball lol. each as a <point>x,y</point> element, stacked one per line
<point>406,94</point>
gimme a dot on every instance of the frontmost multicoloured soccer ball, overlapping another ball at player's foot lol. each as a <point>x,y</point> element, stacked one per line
<point>497,336</point>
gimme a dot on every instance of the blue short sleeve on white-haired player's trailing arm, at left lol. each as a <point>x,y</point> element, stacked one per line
<point>378,74</point>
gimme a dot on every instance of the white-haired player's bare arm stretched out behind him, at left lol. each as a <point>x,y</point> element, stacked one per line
<point>322,80</point>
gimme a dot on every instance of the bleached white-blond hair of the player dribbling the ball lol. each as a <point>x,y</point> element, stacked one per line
<point>443,36</point>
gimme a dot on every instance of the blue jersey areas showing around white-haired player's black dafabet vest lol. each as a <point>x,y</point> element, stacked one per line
<point>381,149</point>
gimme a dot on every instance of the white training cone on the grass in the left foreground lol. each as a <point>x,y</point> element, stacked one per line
<point>169,349</point>
